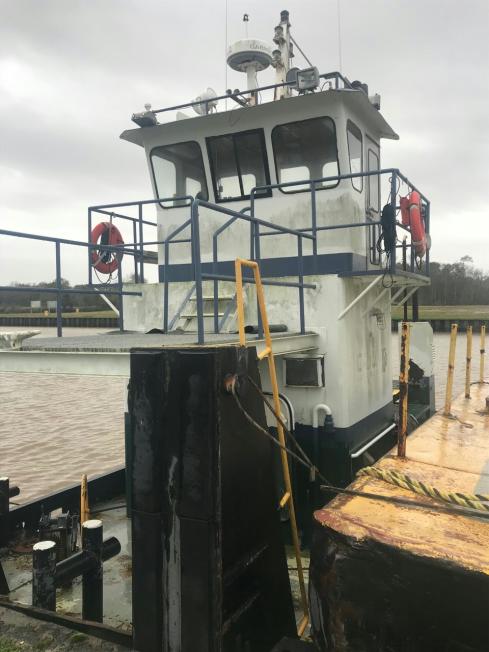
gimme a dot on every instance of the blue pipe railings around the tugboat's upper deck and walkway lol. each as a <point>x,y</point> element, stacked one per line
<point>189,233</point>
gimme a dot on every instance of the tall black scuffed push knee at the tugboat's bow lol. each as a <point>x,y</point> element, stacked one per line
<point>209,569</point>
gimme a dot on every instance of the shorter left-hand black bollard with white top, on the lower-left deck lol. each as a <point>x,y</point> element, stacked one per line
<point>44,575</point>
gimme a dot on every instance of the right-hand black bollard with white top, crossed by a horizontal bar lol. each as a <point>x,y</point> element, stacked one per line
<point>92,581</point>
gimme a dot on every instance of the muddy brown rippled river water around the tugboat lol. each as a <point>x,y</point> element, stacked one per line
<point>54,428</point>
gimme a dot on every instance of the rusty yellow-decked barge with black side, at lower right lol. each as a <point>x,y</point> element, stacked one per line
<point>389,577</point>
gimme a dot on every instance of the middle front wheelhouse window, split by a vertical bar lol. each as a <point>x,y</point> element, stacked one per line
<point>238,164</point>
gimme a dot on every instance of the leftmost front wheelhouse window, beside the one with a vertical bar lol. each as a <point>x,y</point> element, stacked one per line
<point>178,170</point>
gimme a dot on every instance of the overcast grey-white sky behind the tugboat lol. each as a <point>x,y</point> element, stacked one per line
<point>73,71</point>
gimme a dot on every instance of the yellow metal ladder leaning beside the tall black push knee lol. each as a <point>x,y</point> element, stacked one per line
<point>288,497</point>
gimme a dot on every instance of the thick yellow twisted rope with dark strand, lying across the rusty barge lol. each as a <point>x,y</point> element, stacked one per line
<point>474,501</point>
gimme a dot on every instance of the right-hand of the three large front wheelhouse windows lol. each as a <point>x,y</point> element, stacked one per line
<point>306,150</point>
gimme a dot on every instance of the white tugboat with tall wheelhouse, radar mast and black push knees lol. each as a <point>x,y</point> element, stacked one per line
<point>288,199</point>
